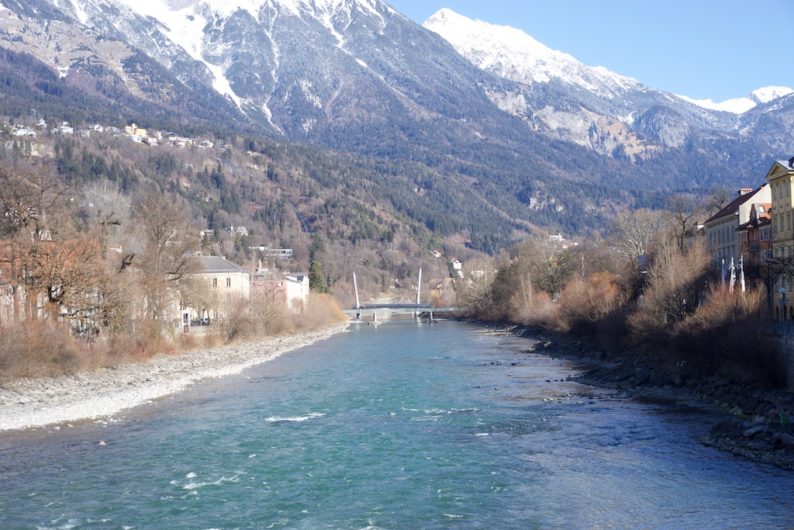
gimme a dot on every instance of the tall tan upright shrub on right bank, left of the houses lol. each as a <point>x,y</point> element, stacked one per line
<point>671,290</point>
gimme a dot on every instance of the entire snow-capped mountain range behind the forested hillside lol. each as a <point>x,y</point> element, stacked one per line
<point>480,121</point>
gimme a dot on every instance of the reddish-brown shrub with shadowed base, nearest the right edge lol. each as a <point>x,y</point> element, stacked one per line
<point>728,334</point>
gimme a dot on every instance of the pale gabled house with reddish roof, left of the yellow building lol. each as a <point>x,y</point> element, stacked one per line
<point>722,228</point>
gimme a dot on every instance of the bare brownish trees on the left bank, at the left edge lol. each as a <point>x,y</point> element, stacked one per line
<point>90,264</point>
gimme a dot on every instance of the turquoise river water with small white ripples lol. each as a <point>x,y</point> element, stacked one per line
<point>402,426</point>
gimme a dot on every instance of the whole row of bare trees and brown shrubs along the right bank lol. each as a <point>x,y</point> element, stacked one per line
<point>648,285</point>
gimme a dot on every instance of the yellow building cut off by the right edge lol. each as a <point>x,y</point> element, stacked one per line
<point>781,180</point>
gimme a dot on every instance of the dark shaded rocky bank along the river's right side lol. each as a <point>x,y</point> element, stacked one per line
<point>758,423</point>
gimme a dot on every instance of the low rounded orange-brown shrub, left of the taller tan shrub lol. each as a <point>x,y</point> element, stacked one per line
<point>584,304</point>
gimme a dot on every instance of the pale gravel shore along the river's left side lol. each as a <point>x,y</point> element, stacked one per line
<point>32,403</point>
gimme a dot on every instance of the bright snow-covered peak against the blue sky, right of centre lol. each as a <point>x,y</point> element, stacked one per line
<point>511,53</point>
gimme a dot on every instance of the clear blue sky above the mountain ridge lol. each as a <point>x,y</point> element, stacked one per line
<point>698,48</point>
